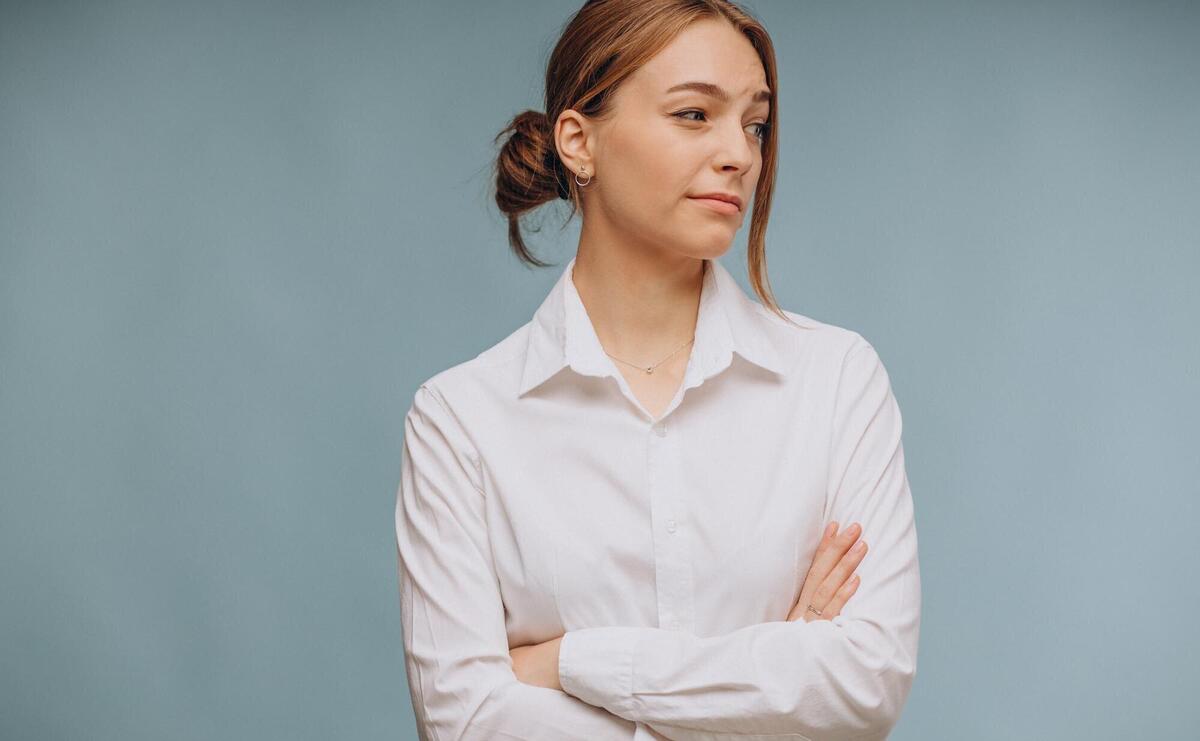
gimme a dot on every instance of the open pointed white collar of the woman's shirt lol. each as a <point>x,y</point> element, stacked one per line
<point>561,334</point>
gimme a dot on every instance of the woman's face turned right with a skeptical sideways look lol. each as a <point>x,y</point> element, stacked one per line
<point>664,147</point>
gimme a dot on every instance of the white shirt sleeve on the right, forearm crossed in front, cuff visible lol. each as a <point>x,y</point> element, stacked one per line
<point>836,680</point>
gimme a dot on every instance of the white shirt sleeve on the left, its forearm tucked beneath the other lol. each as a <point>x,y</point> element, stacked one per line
<point>457,650</point>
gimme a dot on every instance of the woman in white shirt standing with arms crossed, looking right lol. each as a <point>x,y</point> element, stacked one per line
<point>621,522</point>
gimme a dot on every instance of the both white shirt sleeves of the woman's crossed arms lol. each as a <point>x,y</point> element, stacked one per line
<point>842,679</point>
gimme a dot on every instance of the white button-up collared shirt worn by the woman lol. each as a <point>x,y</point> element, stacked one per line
<point>538,498</point>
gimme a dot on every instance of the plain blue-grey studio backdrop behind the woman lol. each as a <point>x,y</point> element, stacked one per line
<point>235,237</point>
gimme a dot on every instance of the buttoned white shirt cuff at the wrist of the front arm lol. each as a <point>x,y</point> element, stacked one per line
<point>597,666</point>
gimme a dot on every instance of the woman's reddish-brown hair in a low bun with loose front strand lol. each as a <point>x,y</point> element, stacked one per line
<point>602,46</point>
